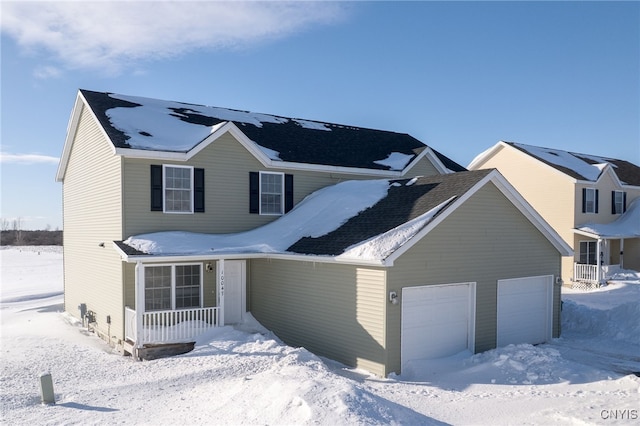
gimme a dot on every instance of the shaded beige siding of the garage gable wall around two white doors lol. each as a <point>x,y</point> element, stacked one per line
<point>484,240</point>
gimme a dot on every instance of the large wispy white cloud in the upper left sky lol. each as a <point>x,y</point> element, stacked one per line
<point>112,35</point>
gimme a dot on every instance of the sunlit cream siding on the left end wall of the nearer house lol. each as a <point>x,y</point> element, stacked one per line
<point>92,215</point>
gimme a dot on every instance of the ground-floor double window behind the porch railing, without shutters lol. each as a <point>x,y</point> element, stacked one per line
<point>170,287</point>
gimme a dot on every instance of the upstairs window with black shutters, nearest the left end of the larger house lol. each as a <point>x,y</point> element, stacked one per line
<point>177,189</point>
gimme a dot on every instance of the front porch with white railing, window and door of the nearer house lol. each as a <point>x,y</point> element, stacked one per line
<point>177,299</point>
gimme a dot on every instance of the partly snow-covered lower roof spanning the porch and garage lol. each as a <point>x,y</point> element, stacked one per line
<point>353,220</point>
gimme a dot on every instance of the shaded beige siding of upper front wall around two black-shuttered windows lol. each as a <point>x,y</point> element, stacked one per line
<point>227,165</point>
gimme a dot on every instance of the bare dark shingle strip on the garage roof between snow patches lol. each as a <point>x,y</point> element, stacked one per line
<point>402,204</point>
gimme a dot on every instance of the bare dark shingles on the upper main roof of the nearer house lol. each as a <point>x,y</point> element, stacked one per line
<point>342,146</point>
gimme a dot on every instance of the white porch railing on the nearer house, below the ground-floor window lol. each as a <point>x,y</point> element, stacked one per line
<point>170,326</point>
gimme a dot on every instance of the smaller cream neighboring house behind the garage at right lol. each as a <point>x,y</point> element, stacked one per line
<point>591,201</point>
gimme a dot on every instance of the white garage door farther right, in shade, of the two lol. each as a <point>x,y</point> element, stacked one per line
<point>524,310</point>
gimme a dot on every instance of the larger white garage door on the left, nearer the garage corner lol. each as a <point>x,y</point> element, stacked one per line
<point>437,321</point>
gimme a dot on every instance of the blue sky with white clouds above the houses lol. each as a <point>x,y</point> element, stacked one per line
<point>459,76</point>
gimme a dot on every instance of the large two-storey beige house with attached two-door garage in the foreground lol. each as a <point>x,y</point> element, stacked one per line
<point>180,217</point>
